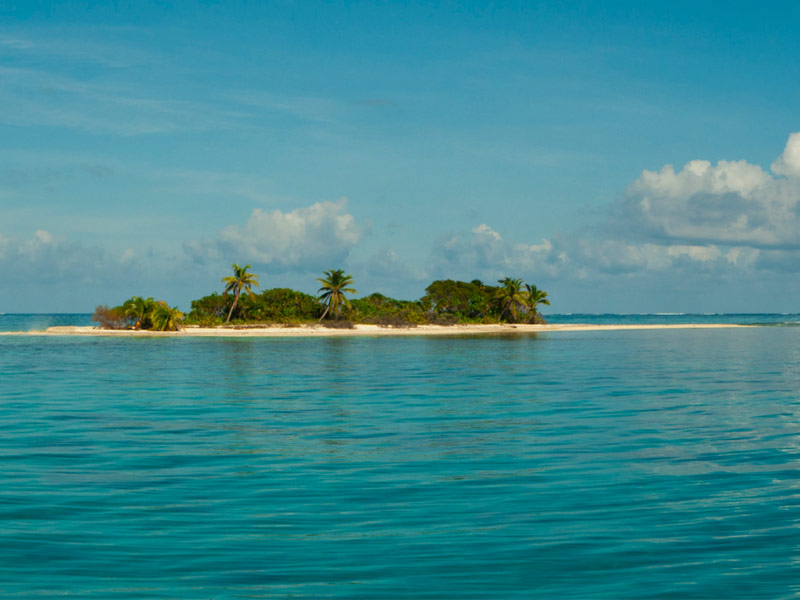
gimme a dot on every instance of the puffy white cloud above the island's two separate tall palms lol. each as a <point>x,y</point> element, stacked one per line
<point>311,238</point>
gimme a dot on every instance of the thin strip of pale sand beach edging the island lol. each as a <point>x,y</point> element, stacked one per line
<point>361,330</point>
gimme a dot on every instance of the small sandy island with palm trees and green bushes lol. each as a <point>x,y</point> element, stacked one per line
<point>449,307</point>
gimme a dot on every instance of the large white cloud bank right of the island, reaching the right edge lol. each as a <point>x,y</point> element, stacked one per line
<point>720,220</point>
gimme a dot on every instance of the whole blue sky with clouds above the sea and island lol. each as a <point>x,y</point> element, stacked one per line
<point>627,157</point>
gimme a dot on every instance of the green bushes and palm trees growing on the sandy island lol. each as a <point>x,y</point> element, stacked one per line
<point>446,302</point>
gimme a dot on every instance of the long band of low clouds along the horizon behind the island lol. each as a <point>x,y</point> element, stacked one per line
<point>728,228</point>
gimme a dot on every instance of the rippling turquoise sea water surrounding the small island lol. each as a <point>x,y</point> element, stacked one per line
<point>647,464</point>
